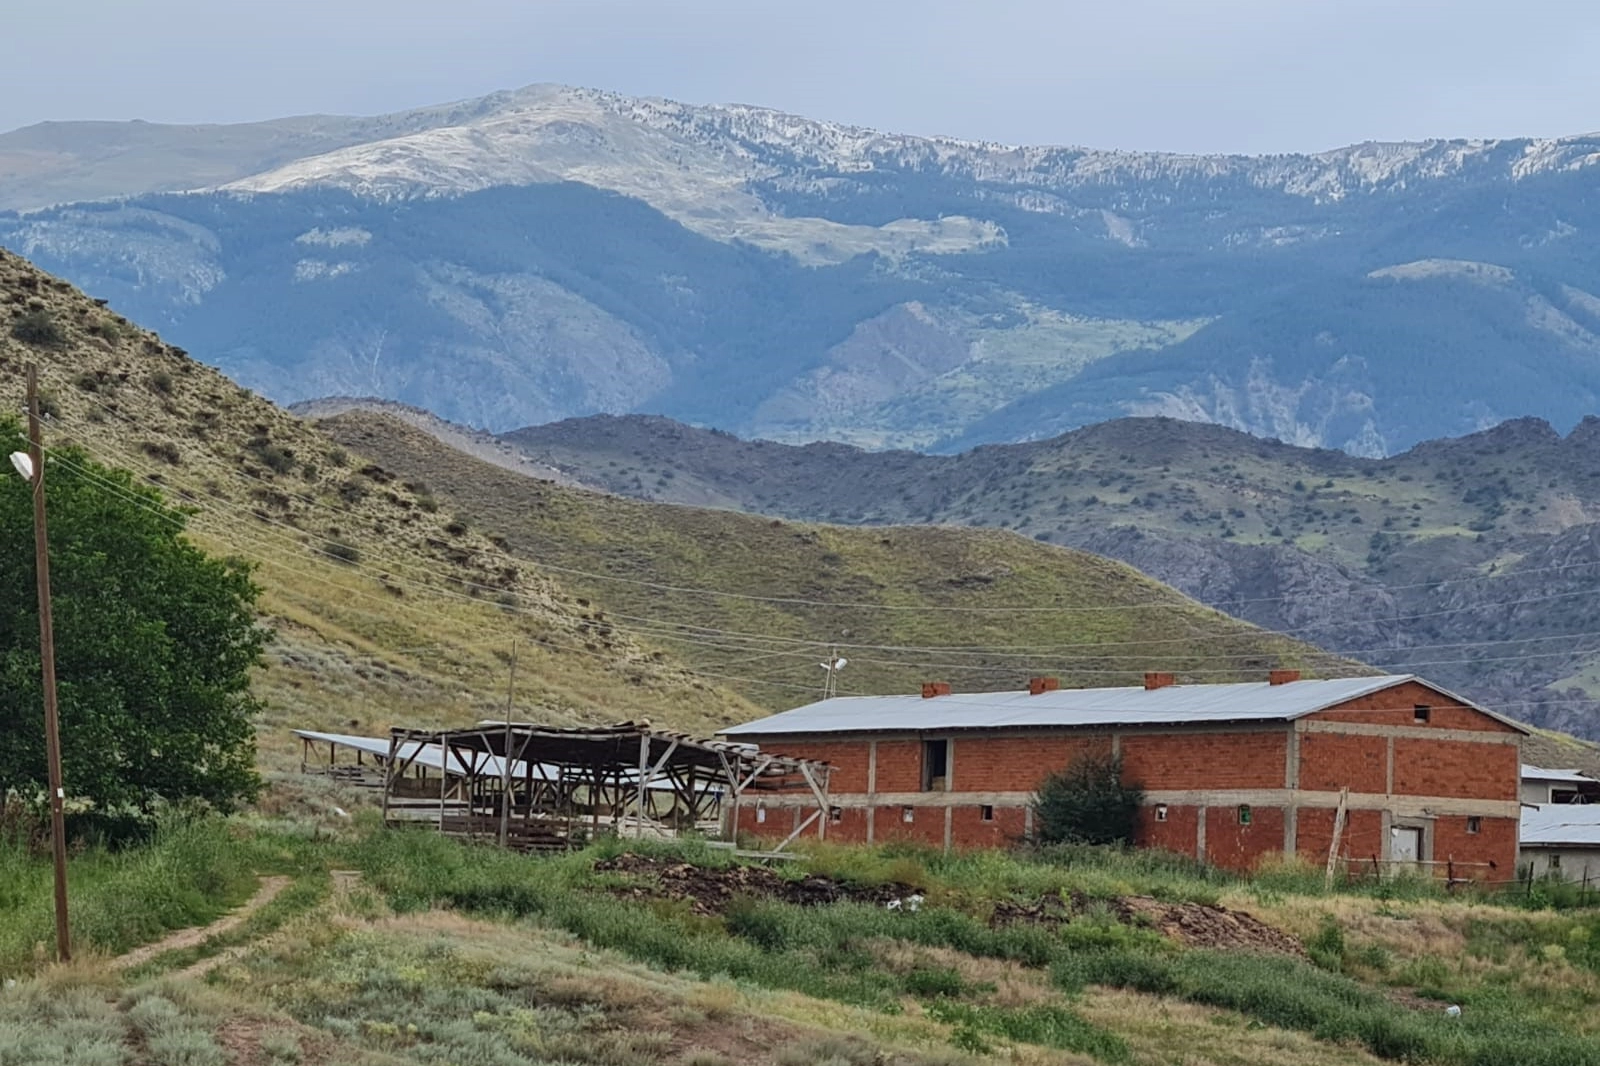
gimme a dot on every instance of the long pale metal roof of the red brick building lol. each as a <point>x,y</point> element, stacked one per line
<point>1172,705</point>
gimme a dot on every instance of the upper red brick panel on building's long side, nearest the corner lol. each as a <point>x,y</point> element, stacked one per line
<point>1206,761</point>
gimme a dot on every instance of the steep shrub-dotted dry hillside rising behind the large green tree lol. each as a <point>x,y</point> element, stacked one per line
<point>386,609</point>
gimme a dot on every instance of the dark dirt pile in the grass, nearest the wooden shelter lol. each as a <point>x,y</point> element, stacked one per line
<point>710,889</point>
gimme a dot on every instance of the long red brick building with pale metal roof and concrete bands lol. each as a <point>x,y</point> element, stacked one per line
<point>1231,772</point>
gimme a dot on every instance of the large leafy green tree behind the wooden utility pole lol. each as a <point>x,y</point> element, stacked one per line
<point>154,647</point>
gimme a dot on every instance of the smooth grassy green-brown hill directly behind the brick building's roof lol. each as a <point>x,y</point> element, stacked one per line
<point>766,599</point>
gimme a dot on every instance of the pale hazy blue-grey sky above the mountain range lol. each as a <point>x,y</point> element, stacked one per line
<point>1246,76</point>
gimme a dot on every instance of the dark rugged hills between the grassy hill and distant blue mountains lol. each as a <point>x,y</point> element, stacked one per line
<point>1471,561</point>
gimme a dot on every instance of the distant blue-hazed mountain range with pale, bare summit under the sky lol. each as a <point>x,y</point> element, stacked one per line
<point>553,252</point>
